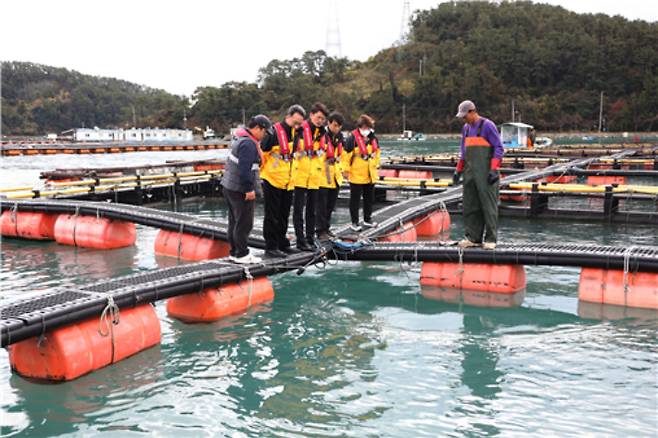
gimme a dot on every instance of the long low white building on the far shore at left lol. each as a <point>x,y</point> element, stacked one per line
<point>132,134</point>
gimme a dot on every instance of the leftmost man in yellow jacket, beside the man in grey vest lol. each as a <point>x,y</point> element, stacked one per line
<point>275,173</point>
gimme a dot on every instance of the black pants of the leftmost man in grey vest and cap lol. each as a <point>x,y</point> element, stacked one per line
<point>240,222</point>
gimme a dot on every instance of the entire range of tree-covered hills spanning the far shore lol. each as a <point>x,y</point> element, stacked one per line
<point>552,62</point>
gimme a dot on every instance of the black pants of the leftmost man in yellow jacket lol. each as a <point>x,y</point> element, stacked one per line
<point>277,211</point>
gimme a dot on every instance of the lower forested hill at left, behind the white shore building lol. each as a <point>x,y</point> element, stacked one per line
<point>37,99</point>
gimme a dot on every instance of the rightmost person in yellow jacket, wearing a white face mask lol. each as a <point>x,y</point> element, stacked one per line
<point>363,155</point>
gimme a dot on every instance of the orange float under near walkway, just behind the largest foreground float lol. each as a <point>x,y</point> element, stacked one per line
<point>214,304</point>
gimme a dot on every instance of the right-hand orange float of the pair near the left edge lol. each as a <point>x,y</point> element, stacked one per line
<point>93,232</point>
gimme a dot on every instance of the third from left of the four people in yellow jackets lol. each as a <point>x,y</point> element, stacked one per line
<point>332,174</point>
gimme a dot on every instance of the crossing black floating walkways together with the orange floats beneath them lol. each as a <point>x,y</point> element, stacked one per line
<point>72,331</point>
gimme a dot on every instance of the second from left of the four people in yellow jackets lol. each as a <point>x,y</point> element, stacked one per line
<point>305,177</point>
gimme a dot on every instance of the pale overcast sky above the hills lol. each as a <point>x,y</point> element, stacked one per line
<point>179,45</point>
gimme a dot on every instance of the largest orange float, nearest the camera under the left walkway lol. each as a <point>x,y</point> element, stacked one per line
<point>71,351</point>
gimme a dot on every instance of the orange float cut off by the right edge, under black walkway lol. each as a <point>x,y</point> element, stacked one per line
<point>640,289</point>
